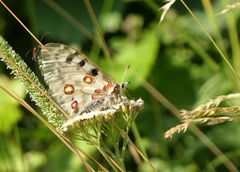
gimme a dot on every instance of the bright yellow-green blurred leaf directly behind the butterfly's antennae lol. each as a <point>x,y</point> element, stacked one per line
<point>140,55</point>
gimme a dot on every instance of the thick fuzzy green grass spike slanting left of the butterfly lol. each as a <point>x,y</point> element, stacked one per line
<point>29,80</point>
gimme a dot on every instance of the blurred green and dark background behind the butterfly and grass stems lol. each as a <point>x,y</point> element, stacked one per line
<point>176,57</point>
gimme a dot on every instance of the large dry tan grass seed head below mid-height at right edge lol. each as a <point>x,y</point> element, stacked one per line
<point>210,113</point>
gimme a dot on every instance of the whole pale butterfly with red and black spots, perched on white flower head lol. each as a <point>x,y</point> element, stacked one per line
<point>81,88</point>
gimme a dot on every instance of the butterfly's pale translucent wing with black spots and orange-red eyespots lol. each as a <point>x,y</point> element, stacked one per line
<point>74,80</point>
